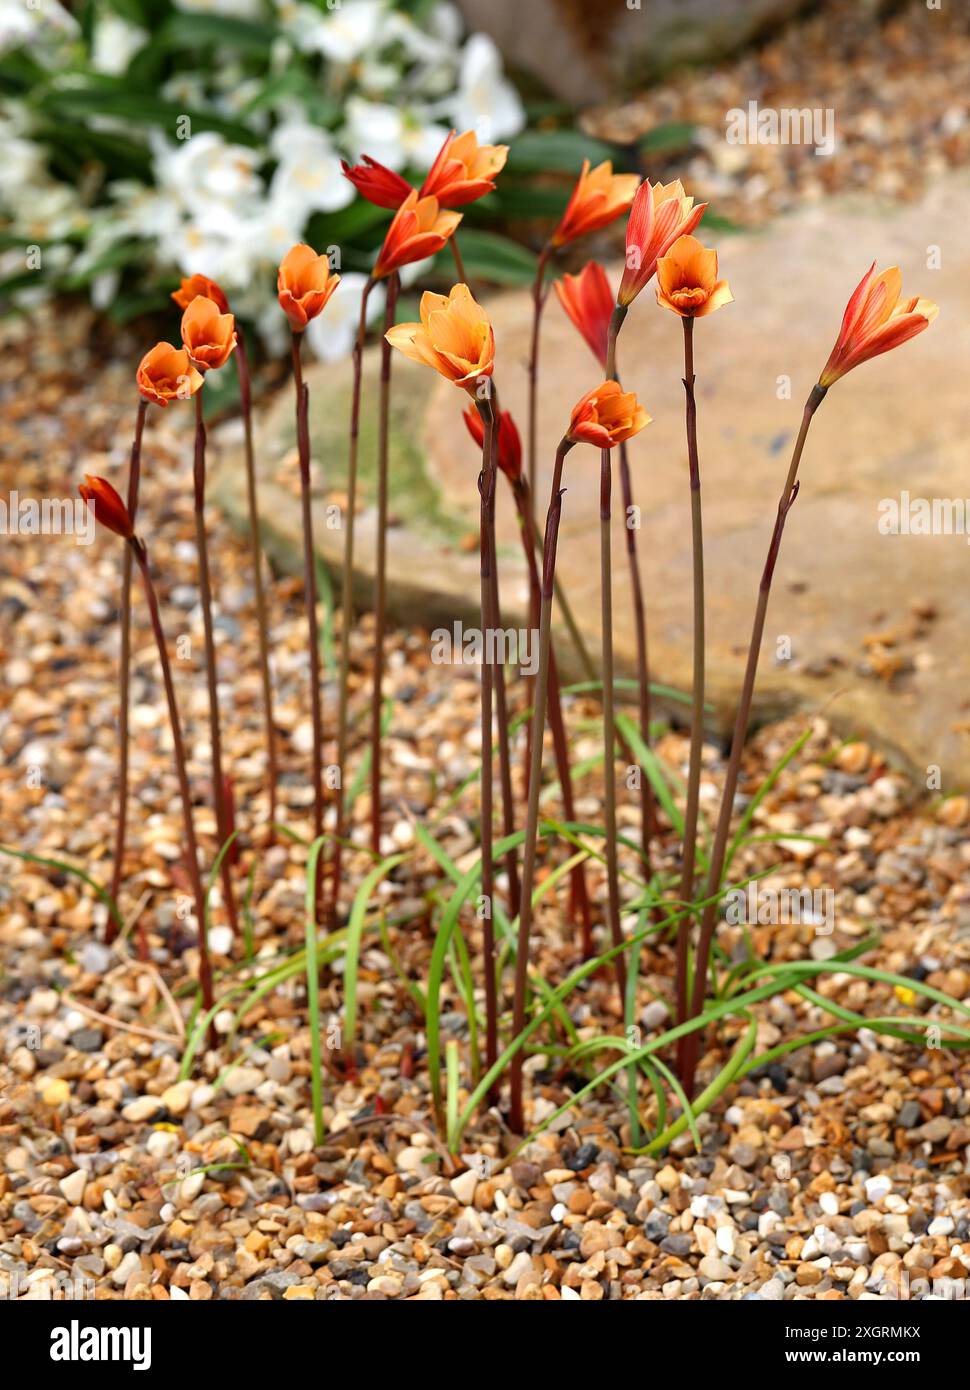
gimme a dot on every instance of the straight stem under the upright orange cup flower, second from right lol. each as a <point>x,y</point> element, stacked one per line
<point>697,679</point>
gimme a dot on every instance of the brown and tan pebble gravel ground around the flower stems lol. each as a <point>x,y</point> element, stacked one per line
<point>823,1178</point>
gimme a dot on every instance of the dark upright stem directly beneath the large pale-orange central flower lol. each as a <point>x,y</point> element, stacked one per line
<point>487,494</point>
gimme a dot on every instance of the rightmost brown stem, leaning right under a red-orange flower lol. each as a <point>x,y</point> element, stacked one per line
<point>719,850</point>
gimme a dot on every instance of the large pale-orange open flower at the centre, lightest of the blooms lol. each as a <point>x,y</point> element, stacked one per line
<point>455,337</point>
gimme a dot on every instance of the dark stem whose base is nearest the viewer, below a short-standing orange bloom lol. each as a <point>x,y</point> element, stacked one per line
<point>536,776</point>
